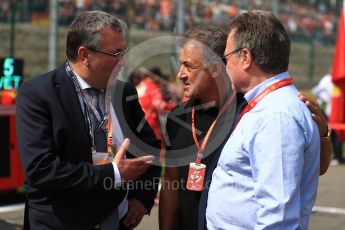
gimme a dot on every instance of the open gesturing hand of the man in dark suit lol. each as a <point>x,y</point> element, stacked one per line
<point>131,169</point>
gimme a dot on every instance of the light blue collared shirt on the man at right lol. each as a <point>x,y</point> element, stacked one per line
<point>267,174</point>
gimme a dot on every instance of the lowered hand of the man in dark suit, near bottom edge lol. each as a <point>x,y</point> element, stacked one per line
<point>135,214</point>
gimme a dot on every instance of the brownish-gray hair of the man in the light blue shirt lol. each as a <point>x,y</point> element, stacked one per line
<point>263,34</point>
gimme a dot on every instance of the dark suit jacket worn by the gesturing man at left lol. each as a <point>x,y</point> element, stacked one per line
<point>55,150</point>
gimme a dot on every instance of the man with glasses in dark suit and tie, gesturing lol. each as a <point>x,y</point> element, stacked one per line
<point>57,135</point>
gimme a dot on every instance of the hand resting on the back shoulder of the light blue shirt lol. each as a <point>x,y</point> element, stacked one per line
<point>316,113</point>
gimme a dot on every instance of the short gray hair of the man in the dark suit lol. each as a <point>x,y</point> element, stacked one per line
<point>84,31</point>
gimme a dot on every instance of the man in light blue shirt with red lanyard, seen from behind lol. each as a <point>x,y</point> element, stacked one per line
<point>267,173</point>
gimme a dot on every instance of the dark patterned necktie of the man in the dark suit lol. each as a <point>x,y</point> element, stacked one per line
<point>111,222</point>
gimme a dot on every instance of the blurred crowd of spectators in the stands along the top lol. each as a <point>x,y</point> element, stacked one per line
<point>302,20</point>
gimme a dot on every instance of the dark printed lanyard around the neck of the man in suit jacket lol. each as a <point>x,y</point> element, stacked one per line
<point>88,105</point>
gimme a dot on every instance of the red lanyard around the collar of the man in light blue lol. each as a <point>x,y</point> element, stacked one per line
<point>268,90</point>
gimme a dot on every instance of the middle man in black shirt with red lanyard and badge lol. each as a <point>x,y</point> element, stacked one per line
<point>208,88</point>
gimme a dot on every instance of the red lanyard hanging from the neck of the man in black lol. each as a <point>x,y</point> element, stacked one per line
<point>208,134</point>
